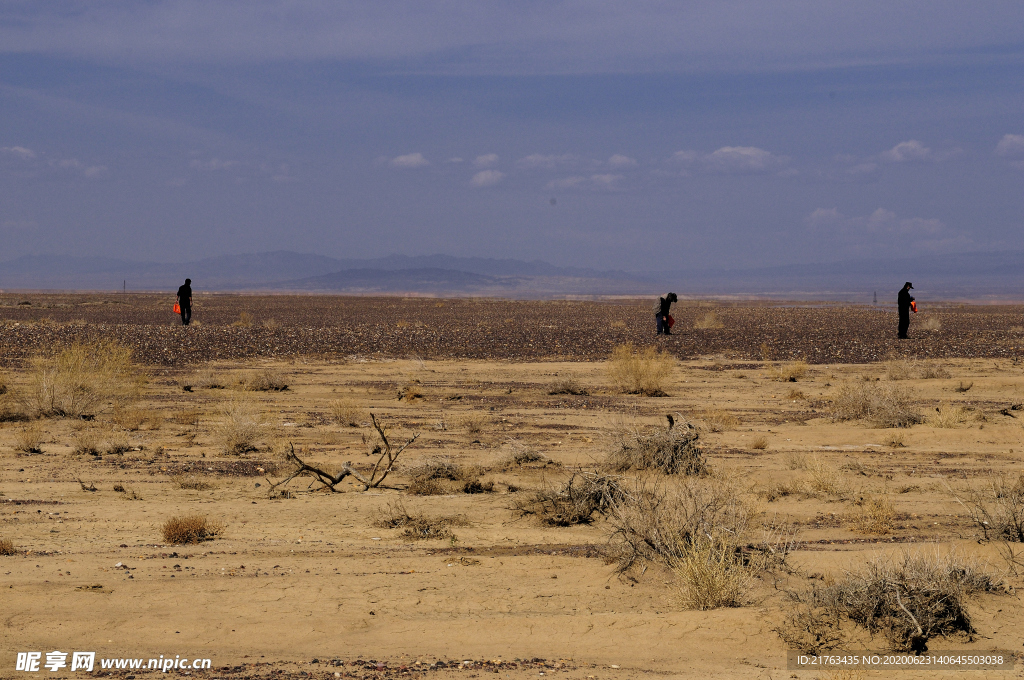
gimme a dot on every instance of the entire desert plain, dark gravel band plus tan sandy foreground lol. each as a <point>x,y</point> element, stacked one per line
<point>461,563</point>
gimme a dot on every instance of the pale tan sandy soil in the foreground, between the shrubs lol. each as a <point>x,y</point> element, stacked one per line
<point>310,576</point>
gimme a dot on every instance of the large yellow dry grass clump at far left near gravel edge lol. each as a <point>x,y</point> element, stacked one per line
<point>80,379</point>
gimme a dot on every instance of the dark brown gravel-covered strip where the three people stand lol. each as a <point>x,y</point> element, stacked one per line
<point>234,327</point>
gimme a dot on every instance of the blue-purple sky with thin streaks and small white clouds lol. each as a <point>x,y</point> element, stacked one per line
<point>636,136</point>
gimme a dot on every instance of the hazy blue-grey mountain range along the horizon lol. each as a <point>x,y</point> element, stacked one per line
<point>998,276</point>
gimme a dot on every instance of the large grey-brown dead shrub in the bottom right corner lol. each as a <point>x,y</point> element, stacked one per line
<point>910,600</point>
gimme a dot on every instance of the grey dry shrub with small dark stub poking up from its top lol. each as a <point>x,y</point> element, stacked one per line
<point>673,450</point>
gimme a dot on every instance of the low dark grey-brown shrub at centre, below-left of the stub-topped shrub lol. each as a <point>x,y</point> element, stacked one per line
<point>575,502</point>
